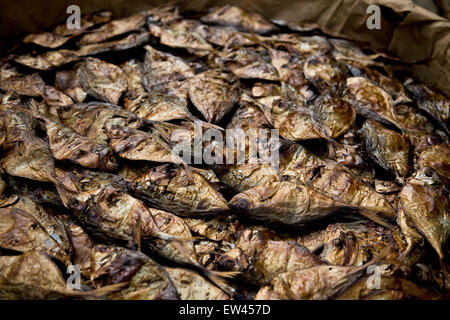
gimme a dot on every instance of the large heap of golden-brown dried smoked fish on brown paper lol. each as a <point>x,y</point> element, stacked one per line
<point>357,207</point>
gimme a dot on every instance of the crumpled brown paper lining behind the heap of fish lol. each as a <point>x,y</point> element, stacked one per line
<point>407,30</point>
